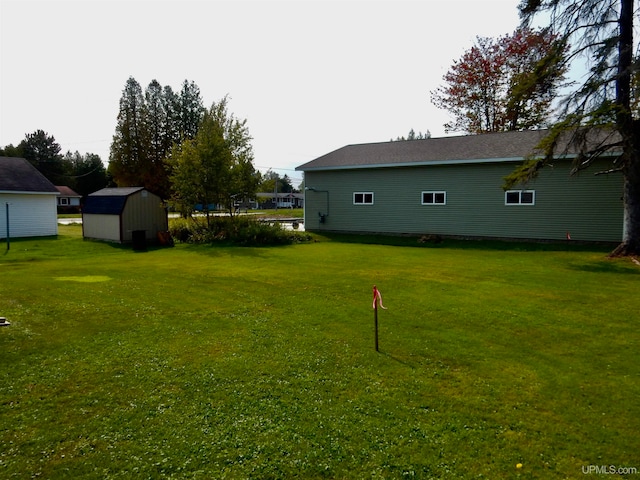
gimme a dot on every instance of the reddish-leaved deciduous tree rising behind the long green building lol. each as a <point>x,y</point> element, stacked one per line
<point>485,90</point>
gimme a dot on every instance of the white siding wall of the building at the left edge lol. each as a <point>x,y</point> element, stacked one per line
<point>30,215</point>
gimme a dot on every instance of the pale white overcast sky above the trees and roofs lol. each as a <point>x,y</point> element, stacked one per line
<point>309,76</point>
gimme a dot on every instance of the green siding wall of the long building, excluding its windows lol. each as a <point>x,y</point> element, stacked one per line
<point>586,206</point>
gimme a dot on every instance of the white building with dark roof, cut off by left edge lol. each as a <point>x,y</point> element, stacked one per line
<point>28,198</point>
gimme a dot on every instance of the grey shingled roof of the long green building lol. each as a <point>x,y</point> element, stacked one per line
<point>489,147</point>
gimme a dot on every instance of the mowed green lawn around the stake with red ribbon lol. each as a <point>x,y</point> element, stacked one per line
<point>209,362</point>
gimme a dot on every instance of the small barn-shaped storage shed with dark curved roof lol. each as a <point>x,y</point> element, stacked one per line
<point>124,215</point>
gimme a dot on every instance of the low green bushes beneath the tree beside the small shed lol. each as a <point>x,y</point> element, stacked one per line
<point>242,231</point>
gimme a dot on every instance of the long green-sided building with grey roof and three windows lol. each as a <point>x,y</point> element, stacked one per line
<point>452,186</point>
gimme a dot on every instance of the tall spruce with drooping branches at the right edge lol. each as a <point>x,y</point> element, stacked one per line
<point>603,105</point>
